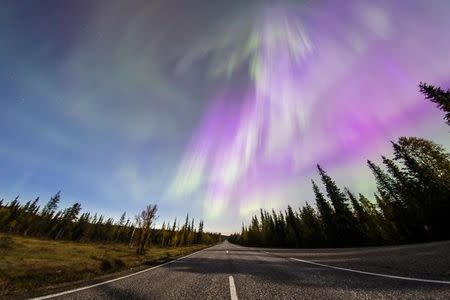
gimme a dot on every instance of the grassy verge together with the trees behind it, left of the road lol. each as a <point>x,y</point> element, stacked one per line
<point>43,247</point>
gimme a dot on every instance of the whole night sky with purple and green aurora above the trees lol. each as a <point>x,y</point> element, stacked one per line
<point>212,108</point>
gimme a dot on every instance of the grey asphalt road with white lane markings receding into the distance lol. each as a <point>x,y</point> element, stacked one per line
<point>227,271</point>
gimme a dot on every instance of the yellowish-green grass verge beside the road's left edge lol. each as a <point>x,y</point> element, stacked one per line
<point>31,266</point>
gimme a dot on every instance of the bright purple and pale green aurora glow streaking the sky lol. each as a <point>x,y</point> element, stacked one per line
<point>311,100</point>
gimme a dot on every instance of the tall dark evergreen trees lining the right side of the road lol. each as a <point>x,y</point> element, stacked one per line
<point>411,204</point>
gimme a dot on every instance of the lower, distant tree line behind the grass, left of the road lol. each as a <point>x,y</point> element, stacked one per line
<point>30,219</point>
